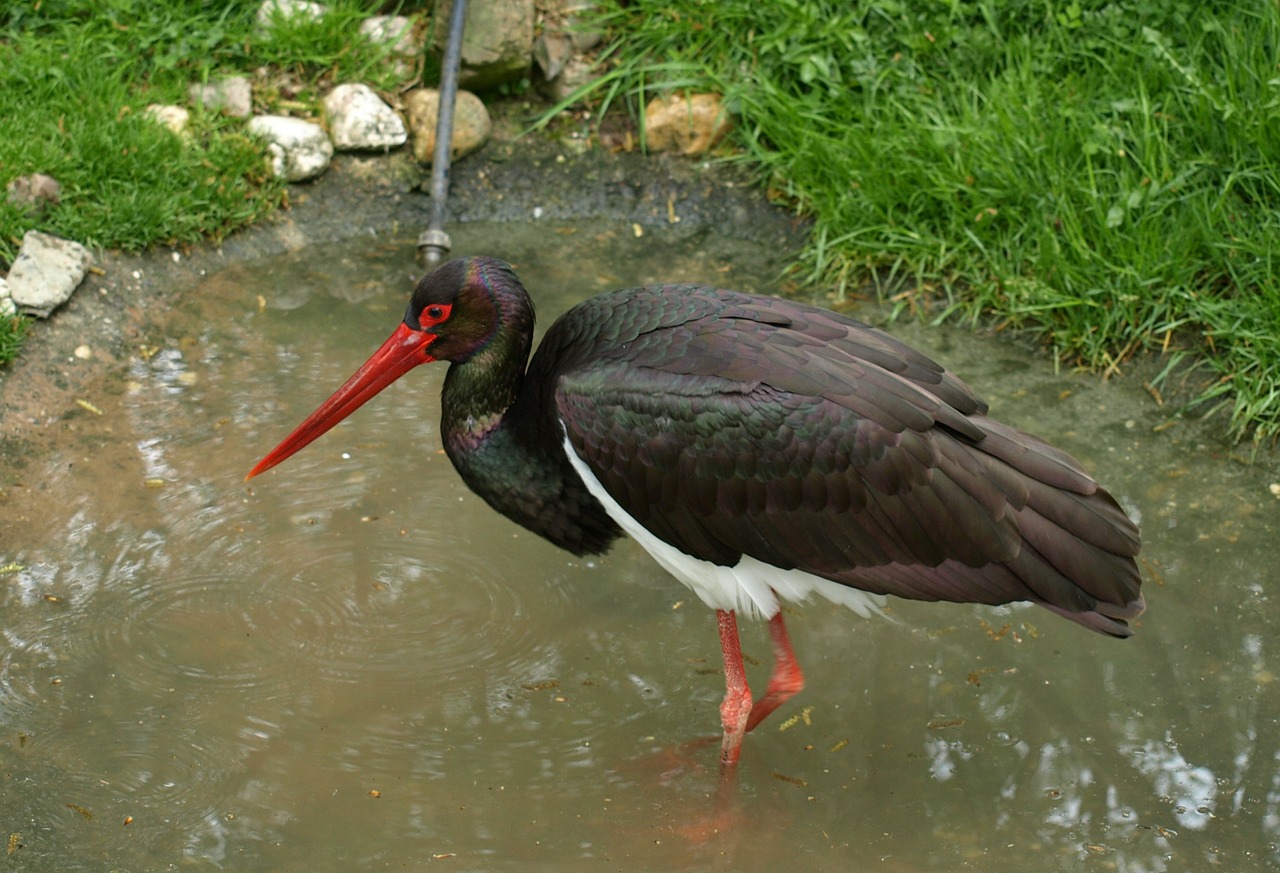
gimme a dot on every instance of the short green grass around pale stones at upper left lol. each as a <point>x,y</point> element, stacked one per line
<point>76,77</point>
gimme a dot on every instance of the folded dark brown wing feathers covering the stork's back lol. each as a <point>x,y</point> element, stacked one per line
<point>729,424</point>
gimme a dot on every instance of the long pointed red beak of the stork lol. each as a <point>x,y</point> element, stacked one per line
<point>403,351</point>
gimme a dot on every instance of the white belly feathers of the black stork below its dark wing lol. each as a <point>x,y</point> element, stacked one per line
<point>751,587</point>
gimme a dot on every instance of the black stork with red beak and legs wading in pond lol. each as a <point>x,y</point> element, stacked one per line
<point>761,450</point>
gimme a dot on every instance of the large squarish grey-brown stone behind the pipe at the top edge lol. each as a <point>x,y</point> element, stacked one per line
<point>497,40</point>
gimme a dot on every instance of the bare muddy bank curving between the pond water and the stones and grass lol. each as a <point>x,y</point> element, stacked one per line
<point>113,316</point>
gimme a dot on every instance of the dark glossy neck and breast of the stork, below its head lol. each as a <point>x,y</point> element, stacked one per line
<point>509,453</point>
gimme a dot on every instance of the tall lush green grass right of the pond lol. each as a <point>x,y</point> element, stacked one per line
<point>1104,175</point>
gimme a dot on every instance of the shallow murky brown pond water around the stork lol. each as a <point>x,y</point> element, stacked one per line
<point>353,664</point>
